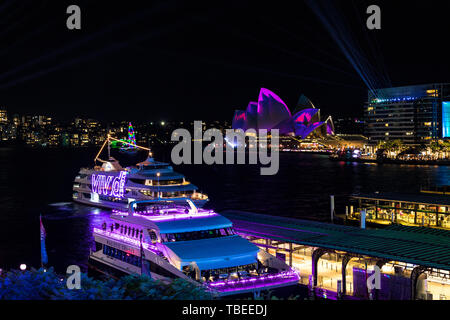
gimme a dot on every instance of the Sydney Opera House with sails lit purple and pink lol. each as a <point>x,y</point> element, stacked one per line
<point>270,112</point>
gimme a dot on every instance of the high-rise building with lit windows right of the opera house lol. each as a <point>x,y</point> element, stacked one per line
<point>413,114</point>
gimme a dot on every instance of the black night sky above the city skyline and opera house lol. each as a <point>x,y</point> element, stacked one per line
<point>173,60</point>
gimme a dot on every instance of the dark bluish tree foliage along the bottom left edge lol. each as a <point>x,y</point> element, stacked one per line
<point>47,285</point>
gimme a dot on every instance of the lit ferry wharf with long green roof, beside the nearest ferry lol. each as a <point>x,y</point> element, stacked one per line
<point>335,261</point>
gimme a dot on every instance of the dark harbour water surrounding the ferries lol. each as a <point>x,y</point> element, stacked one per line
<point>37,181</point>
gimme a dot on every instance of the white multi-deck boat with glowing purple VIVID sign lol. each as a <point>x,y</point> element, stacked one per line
<point>109,185</point>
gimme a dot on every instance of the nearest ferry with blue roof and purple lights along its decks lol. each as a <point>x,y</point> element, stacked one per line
<point>175,239</point>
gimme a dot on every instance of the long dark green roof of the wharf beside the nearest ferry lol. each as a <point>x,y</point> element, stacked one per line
<point>415,245</point>
